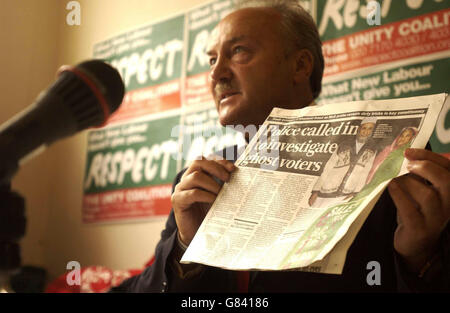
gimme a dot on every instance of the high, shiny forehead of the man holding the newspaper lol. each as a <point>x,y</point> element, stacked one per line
<point>244,23</point>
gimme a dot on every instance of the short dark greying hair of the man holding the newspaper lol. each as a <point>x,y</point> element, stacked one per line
<point>299,27</point>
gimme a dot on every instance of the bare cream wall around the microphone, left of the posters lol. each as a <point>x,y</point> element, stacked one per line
<point>38,41</point>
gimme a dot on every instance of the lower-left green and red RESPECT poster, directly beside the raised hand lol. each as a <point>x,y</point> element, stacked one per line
<point>130,169</point>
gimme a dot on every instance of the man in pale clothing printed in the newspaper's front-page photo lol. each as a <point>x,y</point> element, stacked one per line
<point>346,171</point>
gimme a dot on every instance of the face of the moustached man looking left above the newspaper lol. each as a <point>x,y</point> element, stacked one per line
<point>250,72</point>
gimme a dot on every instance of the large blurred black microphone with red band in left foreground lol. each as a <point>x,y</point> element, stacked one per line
<point>82,96</point>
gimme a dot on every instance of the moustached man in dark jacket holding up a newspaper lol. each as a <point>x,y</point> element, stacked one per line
<point>271,56</point>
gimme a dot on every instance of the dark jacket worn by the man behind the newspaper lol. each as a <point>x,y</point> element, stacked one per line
<point>374,242</point>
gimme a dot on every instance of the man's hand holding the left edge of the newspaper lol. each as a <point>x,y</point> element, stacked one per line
<point>196,191</point>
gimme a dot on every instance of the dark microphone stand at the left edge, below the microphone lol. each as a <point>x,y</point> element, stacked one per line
<point>12,227</point>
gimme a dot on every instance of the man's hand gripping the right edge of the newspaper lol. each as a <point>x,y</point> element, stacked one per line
<point>423,206</point>
